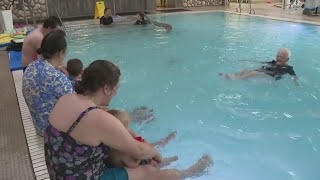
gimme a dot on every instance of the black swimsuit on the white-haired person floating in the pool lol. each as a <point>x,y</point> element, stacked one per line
<point>276,71</point>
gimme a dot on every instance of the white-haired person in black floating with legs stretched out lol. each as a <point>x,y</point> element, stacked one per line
<point>276,68</point>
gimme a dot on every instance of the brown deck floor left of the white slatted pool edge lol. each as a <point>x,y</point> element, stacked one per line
<point>14,154</point>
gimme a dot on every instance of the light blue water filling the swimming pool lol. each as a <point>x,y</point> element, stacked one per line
<point>255,129</point>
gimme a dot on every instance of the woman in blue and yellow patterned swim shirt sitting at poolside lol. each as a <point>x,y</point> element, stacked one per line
<point>43,83</point>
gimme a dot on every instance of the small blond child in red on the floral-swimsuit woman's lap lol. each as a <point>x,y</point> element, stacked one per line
<point>119,159</point>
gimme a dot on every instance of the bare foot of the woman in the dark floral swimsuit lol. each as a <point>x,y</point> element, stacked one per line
<point>199,168</point>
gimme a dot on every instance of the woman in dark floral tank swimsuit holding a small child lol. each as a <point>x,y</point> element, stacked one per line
<point>78,140</point>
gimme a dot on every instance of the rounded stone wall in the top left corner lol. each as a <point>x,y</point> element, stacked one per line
<point>38,7</point>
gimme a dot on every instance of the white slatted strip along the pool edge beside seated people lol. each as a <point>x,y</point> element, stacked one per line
<point>35,142</point>
